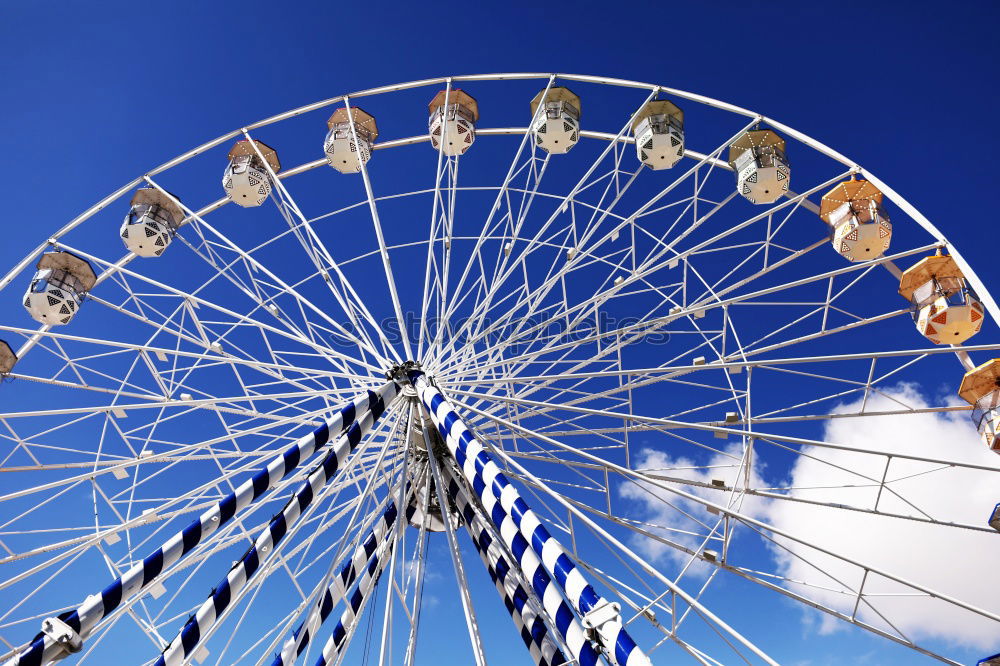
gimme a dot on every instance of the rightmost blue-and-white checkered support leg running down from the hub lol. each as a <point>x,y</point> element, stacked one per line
<point>521,529</point>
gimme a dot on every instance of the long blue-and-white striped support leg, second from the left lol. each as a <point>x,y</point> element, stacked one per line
<point>187,640</point>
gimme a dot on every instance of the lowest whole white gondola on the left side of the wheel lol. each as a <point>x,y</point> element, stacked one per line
<point>58,287</point>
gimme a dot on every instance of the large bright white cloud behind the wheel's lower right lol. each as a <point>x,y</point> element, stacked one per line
<point>956,562</point>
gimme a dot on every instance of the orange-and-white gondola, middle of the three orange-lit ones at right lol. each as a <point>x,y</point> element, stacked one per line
<point>945,309</point>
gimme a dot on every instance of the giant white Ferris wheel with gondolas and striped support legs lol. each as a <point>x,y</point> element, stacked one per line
<point>593,367</point>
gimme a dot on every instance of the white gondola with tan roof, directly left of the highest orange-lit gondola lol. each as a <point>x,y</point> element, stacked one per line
<point>761,166</point>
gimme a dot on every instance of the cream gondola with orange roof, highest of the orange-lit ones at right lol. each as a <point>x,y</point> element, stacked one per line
<point>859,226</point>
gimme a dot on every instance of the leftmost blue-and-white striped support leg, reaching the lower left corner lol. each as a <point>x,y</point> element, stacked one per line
<point>84,619</point>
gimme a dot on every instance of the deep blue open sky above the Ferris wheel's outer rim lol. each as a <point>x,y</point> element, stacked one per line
<point>95,94</point>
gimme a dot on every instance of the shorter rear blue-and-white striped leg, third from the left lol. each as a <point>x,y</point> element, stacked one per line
<point>378,536</point>
